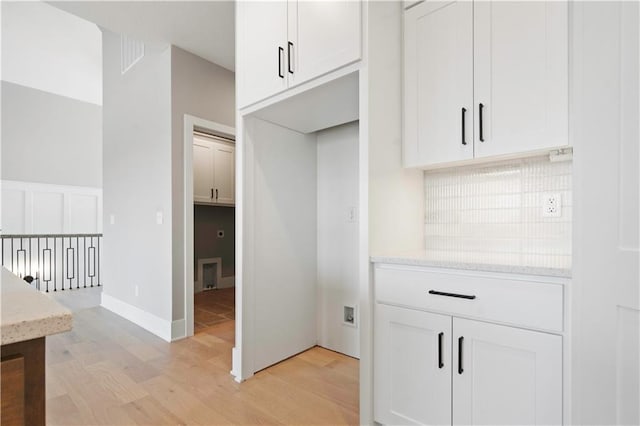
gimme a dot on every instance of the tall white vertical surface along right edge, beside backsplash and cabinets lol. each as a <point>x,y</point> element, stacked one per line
<point>606,278</point>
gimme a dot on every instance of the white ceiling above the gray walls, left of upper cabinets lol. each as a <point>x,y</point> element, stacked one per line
<point>204,28</point>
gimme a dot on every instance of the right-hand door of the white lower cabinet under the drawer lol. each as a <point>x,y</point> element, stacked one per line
<point>505,375</point>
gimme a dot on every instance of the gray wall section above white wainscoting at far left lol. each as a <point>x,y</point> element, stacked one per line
<point>50,138</point>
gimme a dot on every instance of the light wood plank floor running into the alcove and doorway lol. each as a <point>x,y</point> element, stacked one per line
<point>108,371</point>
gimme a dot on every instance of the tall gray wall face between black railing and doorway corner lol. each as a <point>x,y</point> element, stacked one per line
<point>137,178</point>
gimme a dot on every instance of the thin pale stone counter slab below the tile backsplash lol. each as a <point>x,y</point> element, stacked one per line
<point>470,266</point>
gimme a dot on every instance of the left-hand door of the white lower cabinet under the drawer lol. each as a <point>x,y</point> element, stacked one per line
<point>412,368</point>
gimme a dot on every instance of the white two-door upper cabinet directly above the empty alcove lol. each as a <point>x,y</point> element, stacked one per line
<point>284,44</point>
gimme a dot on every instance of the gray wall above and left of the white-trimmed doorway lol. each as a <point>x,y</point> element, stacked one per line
<point>204,90</point>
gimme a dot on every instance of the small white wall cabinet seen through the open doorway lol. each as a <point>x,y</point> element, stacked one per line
<point>213,172</point>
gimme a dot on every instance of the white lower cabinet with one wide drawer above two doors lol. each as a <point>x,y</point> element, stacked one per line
<point>441,368</point>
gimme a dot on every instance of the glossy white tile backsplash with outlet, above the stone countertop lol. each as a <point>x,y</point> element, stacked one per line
<point>493,213</point>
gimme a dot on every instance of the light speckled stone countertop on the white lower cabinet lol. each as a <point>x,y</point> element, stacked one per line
<point>440,260</point>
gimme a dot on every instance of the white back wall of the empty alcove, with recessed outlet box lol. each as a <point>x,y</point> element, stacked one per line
<point>338,275</point>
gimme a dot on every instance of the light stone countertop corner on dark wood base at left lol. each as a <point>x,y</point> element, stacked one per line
<point>27,313</point>
